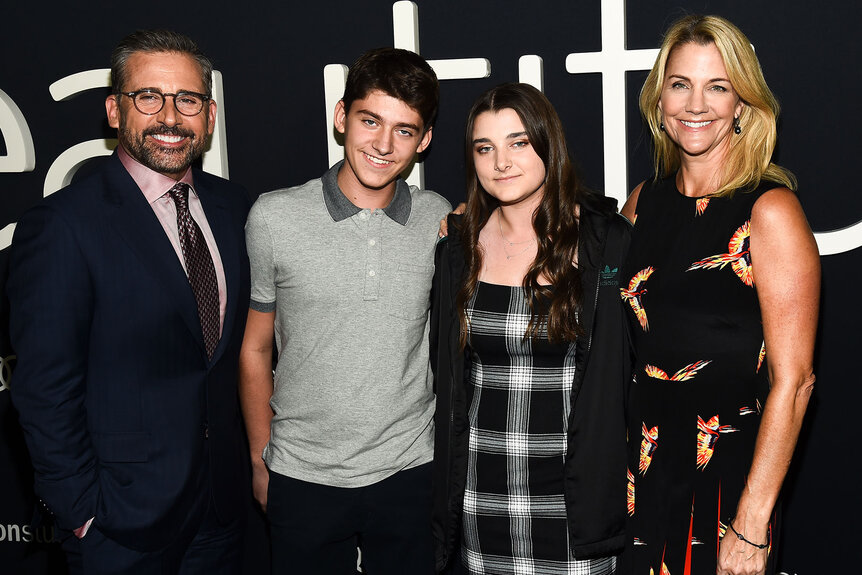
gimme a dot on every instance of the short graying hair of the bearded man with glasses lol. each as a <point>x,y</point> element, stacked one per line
<point>157,41</point>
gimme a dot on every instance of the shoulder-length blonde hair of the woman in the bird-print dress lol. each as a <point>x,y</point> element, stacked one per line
<point>749,158</point>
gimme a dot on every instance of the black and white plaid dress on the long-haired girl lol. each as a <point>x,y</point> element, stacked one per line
<point>514,518</point>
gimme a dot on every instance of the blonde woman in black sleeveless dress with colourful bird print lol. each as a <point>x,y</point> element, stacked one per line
<point>721,285</point>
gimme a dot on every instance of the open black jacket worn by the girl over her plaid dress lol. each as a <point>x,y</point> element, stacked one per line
<point>595,464</point>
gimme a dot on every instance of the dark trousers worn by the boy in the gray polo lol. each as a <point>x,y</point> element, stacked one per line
<point>317,528</point>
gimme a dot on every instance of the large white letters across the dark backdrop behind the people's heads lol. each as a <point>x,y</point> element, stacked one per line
<point>613,61</point>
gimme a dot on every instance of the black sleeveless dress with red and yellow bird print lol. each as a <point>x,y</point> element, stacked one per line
<point>700,379</point>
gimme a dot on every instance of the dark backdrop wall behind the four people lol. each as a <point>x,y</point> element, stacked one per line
<point>272,57</point>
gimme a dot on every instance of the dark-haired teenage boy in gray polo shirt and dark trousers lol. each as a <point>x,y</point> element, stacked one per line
<point>341,435</point>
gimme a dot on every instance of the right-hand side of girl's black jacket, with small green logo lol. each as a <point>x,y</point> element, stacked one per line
<point>596,459</point>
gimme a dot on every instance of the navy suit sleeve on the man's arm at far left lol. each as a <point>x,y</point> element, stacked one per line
<point>50,309</point>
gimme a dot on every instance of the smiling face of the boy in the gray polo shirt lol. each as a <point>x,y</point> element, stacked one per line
<point>382,135</point>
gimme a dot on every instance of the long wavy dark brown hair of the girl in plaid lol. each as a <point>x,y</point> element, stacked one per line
<point>554,221</point>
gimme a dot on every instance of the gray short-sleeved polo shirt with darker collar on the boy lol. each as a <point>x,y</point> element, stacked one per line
<point>350,288</point>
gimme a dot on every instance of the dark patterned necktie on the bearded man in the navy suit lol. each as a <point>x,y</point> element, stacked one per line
<point>199,266</point>
